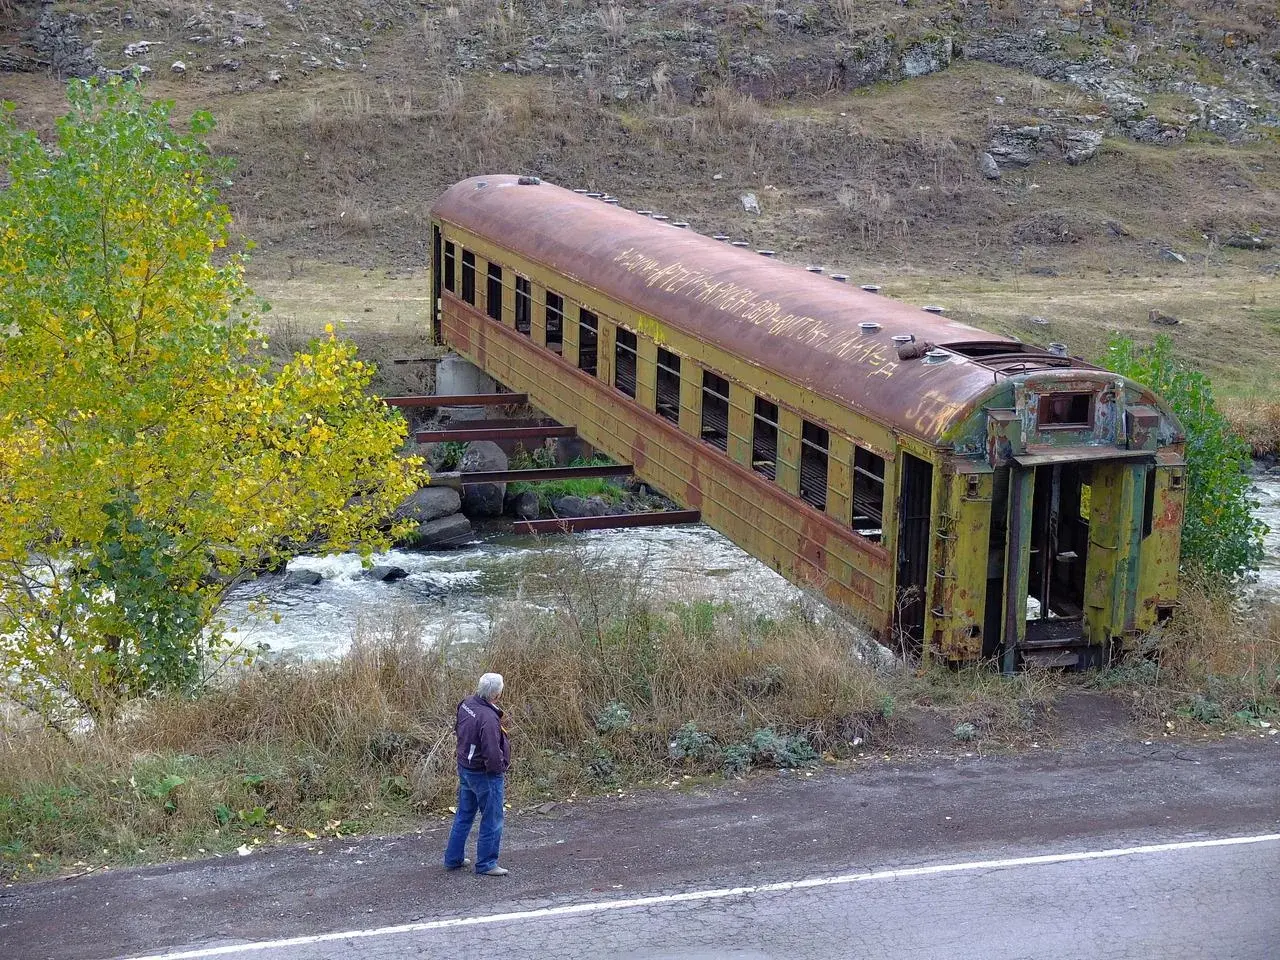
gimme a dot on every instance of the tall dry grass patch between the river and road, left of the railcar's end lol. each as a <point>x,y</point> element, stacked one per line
<point>601,680</point>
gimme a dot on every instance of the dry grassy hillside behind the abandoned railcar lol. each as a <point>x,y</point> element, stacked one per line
<point>346,126</point>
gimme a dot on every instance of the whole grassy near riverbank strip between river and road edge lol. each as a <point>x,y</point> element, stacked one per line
<point>611,689</point>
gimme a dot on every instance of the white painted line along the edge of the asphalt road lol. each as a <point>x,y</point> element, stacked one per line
<point>703,895</point>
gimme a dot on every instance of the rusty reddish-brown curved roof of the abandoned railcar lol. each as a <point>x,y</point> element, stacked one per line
<point>780,317</point>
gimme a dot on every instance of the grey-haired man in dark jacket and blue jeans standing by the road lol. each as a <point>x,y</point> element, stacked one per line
<point>483,761</point>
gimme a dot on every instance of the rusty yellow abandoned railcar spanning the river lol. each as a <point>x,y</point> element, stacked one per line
<point>962,492</point>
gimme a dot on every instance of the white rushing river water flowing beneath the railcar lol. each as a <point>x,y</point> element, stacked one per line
<point>452,595</point>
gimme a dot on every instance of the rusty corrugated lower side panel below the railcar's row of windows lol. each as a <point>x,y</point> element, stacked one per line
<point>797,541</point>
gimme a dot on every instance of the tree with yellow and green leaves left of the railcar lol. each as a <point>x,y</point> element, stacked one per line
<point>150,456</point>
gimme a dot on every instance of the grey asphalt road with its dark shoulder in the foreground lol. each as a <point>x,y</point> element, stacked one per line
<point>825,849</point>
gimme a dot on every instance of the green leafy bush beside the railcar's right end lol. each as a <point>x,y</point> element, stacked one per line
<point>1220,537</point>
